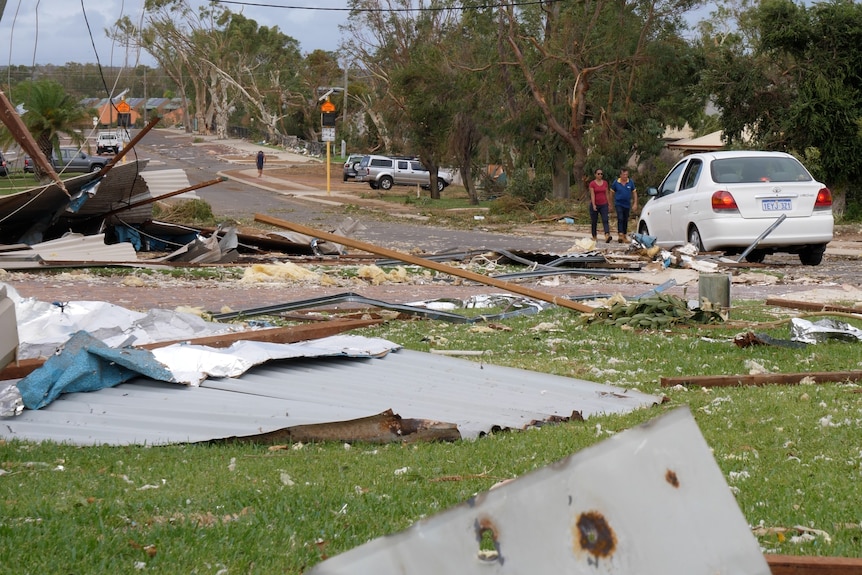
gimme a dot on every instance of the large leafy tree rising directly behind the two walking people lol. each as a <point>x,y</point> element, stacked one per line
<point>606,76</point>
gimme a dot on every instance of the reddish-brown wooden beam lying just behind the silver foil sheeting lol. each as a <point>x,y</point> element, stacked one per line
<point>275,335</point>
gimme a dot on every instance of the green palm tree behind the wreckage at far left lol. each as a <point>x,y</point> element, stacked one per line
<point>49,112</point>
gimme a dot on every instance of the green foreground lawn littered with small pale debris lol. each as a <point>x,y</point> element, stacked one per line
<point>791,454</point>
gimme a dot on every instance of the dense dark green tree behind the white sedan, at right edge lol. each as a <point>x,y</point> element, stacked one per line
<point>787,77</point>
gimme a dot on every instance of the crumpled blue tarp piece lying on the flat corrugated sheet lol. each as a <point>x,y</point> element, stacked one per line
<point>86,364</point>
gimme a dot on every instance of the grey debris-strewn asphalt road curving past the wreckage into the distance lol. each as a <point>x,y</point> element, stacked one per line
<point>240,201</point>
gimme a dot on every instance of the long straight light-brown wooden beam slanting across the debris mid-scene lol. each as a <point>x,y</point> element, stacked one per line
<point>425,263</point>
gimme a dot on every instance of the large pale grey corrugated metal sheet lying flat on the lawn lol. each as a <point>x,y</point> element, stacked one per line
<point>476,397</point>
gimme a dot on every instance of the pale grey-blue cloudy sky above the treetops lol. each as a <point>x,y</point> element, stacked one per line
<point>55,31</point>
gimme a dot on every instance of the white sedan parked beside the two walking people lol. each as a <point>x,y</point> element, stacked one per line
<point>726,200</point>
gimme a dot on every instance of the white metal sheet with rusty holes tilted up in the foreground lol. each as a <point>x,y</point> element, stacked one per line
<point>647,500</point>
